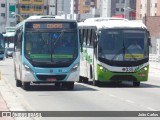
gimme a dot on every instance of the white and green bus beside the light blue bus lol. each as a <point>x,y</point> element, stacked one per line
<point>114,50</point>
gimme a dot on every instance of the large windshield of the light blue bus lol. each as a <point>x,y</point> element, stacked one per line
<point>51,47</point>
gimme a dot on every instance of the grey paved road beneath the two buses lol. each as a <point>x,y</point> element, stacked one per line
<point>86,97</point>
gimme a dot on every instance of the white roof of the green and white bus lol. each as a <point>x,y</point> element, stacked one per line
<point>111,23</point>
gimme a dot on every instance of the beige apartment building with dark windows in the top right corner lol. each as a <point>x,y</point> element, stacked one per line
<point>147,8</point>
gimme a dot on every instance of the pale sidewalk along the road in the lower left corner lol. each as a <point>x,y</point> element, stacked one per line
<point>10,100</point>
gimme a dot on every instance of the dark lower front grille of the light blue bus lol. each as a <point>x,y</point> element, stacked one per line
<point>46,77</point>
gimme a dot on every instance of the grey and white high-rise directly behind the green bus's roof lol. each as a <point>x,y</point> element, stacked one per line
<point>117,8</point>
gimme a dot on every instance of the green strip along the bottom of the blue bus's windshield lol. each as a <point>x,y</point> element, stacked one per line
<point>49,56</point>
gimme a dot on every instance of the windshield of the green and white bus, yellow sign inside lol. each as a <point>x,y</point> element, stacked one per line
<point>123,44</point>
